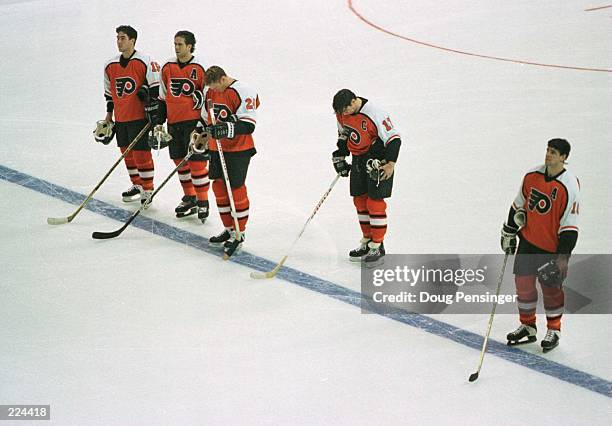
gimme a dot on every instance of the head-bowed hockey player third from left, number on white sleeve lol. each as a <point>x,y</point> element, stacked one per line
<point>235,107</point>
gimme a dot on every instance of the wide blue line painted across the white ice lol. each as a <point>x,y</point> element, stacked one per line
<point>310,282</point>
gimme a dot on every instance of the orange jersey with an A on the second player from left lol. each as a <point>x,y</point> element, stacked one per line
<point>178,83</point>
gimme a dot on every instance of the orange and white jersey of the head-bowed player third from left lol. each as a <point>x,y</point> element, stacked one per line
<point>237,102</point>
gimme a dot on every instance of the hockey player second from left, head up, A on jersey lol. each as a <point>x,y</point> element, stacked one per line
<point>181,100</point>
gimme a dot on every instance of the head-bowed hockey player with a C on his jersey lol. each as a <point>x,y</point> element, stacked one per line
<point>366,132</point>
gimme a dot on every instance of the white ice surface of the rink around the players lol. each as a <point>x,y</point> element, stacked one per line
<point>143,330</point>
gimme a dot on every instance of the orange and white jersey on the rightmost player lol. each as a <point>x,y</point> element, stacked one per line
<point>552,206</point>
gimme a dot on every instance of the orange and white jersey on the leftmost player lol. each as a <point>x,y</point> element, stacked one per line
<point>122,84</point>
